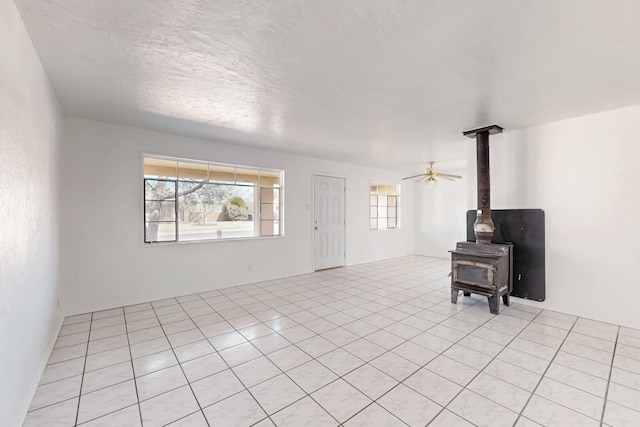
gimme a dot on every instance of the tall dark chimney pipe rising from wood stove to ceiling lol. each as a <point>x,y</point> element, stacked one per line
<point>483,227</point>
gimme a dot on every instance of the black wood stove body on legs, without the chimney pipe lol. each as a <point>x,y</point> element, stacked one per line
<point>482,268</point>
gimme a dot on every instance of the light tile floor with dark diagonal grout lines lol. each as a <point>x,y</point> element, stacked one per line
<point>370,345</point>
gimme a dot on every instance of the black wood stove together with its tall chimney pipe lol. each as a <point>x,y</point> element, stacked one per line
<point>483,267</point>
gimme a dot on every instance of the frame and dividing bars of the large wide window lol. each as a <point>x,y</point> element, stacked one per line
<point>277,222</point>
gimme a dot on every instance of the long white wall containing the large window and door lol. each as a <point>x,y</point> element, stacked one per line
<point>104,263</point>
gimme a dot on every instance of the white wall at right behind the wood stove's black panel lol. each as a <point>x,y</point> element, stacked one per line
<point>584,174</point>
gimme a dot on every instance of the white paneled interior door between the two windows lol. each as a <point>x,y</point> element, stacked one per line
<point>328,222</point>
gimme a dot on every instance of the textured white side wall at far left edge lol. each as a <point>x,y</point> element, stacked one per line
<point>30,121</point>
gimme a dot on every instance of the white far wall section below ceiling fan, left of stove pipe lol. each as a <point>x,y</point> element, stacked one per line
<point>440,215</point>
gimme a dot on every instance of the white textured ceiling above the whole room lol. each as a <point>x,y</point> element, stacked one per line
<point>379,82</point>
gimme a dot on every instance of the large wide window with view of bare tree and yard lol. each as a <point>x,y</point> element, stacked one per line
<point>186,200</point>
